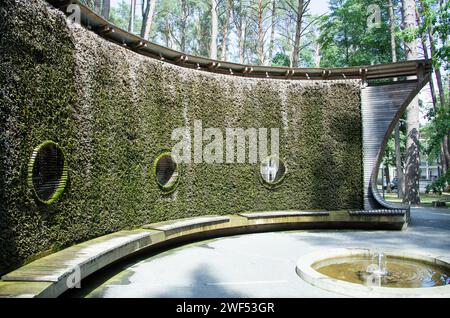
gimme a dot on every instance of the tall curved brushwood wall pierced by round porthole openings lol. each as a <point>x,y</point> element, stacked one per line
<point>113,111</point>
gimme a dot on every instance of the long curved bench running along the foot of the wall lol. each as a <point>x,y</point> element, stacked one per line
<point>52,275</point>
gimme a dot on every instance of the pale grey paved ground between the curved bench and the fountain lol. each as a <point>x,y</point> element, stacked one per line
<point>262,265</point>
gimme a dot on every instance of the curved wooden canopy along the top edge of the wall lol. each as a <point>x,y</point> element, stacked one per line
<point>108,31</point>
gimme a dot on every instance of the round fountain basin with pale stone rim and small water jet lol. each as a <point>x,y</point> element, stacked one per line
<point>361,272</point>
